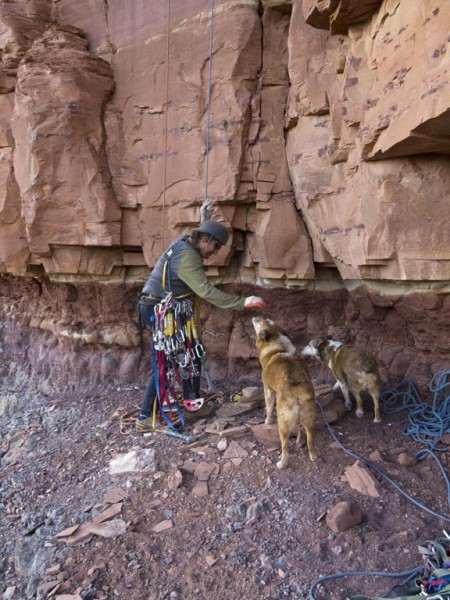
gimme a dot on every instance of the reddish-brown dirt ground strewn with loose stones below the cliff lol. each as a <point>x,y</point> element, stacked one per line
<point>211,519</point>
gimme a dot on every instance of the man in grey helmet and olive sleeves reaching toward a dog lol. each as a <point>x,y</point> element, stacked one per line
<point>180,271</point>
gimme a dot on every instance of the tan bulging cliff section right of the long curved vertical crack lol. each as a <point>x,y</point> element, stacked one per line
<point>366,168</point>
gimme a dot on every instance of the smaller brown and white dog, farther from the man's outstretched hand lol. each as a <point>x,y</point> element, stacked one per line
<point>355,371</point>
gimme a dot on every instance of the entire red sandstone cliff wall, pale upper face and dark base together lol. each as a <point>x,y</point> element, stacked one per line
<point>318,131</point>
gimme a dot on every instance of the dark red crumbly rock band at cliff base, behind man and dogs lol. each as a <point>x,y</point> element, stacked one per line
<point>78,336</point>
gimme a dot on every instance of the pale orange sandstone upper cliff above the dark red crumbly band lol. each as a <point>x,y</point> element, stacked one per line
<point>318,131</point>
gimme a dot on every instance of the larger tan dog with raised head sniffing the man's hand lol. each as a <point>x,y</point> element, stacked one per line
<point>286,380</point>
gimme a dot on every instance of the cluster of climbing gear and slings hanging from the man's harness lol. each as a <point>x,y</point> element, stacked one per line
<point>176,345</point>
